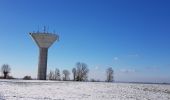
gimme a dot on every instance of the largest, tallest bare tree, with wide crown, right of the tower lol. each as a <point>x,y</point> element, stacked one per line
<point>81,71</point>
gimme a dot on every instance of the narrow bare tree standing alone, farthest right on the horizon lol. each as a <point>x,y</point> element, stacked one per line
<point>109,74</point>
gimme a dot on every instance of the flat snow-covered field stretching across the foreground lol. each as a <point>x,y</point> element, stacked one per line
<point>52,90</point>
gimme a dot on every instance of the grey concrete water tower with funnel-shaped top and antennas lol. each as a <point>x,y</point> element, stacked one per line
<point>44,40</point>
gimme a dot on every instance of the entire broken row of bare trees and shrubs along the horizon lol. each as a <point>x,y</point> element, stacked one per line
<point>79,72</point>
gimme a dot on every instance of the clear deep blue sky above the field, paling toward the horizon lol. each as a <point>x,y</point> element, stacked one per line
<point>132,36</point>
